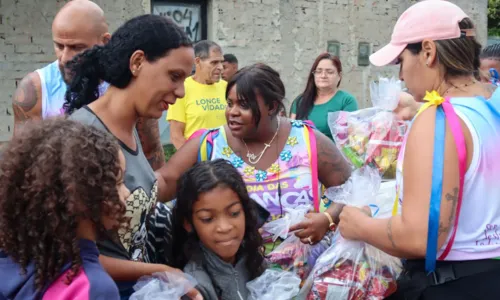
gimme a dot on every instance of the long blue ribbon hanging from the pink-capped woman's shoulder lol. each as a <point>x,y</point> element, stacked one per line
<point>436,191</point>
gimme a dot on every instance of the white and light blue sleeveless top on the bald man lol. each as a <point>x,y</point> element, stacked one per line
<point>54,90</point>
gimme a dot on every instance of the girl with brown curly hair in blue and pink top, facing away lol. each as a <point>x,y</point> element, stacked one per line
<point>61,185</point>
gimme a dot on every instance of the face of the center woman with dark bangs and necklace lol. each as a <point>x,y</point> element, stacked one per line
<point>239,116</point>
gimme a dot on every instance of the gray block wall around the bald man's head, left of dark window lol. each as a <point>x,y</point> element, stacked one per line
<point>26,41</point>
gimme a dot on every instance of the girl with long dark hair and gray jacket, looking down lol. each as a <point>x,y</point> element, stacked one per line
<point>215,231</point>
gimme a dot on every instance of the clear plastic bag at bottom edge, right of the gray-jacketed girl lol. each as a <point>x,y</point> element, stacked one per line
<point>274,285</point>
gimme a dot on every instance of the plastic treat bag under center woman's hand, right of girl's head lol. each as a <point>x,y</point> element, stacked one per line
<point>293,255</point>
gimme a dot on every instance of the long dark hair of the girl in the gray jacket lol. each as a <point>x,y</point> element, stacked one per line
<point>203,177</point>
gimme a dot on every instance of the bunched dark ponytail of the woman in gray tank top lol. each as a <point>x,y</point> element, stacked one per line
<point>87,73</point>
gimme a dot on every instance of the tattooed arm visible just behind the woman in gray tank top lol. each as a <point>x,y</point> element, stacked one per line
<point>149,134</point>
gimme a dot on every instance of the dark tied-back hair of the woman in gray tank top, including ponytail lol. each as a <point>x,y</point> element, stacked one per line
<point>155,35</point>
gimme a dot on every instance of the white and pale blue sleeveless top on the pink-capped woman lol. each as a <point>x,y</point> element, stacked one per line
<point>480,238</point>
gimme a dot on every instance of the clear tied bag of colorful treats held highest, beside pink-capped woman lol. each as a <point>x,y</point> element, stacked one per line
<point>372,136</point>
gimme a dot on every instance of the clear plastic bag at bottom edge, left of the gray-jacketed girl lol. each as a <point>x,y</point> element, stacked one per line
<point>163,286</point>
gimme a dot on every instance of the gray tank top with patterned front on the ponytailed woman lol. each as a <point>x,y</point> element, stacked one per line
<point>140,179</point>
